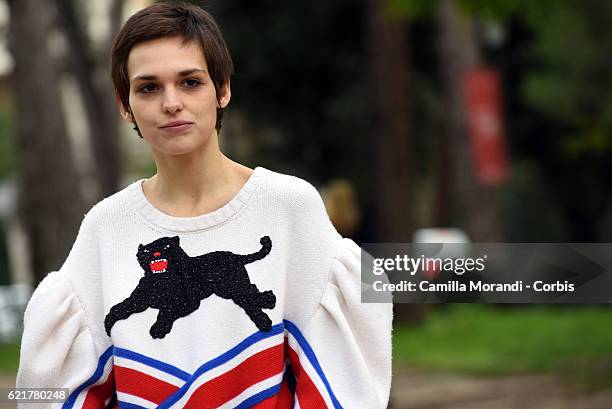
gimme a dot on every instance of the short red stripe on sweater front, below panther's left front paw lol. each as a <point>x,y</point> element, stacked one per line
<point>142,385</point>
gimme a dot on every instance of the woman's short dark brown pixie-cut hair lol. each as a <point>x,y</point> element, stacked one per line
<point>171,19</point>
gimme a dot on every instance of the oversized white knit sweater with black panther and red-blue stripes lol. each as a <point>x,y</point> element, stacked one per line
<point>256,304</point>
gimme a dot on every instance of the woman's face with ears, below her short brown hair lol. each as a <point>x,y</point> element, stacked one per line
<point>172,97</point>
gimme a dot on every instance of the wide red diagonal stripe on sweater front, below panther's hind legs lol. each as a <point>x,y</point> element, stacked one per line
<point>227,386</point>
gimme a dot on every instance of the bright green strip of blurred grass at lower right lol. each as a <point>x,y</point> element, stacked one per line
<point>478,339</point>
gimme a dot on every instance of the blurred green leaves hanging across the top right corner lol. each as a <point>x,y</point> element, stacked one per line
<point>569,79</point>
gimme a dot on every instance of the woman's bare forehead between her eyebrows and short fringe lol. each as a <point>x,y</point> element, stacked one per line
<point>164,55</point>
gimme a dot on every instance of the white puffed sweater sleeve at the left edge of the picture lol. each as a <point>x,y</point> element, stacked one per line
<point>59,351</point>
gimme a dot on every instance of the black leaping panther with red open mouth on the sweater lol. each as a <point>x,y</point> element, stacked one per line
<point>175,284</point>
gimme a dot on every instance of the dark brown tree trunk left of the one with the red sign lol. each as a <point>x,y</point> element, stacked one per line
<point>394,163</point>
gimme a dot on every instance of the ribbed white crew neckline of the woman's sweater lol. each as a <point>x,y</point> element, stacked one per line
<point>186,224</point>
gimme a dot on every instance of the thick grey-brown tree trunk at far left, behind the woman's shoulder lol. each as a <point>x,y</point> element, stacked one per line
<point>50,204</point>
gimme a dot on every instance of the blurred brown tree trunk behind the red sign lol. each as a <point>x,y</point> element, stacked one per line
<point>458,54</point>
